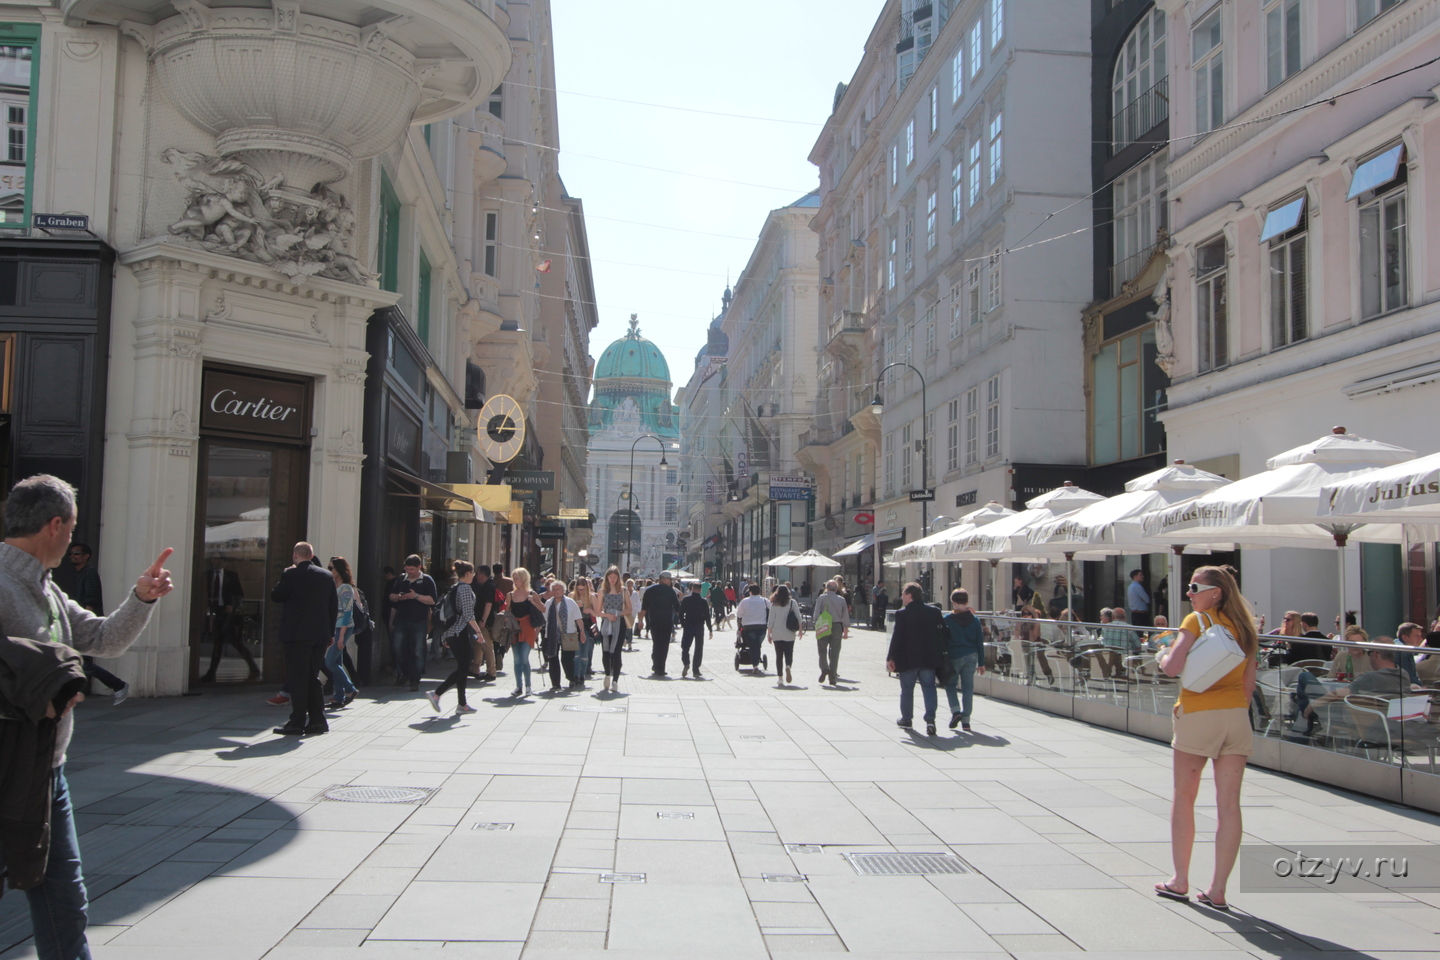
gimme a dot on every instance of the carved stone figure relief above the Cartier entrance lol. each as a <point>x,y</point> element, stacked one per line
<point>230,209</point>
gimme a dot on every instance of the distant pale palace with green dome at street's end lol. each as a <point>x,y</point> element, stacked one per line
<point>633,399</point>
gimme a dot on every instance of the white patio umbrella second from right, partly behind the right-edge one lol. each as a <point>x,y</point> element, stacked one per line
<point>1279,507</point>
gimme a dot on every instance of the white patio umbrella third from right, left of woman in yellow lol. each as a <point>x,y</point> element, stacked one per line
<point>1114,526</point>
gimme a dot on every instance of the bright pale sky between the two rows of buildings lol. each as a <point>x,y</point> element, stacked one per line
<point>702,182</point>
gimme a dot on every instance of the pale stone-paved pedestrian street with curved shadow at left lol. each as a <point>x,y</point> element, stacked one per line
<point>678,820</point>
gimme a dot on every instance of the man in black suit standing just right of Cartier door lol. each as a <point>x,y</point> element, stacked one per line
<point>307,622</point>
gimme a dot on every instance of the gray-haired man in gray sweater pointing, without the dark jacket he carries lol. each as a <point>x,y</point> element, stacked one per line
<point>40,519</point>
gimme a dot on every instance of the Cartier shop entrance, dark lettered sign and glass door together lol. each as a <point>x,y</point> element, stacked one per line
<point>254,471</point>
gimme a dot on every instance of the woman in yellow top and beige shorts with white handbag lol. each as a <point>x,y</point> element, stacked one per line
<point>1216,661</point>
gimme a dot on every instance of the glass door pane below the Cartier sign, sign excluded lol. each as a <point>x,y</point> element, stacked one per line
<point>237,543</point>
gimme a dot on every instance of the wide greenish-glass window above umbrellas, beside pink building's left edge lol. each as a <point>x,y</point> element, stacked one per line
<point>1127,392</point>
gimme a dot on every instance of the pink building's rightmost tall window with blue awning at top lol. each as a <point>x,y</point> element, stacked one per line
<point>1383,234</point>
